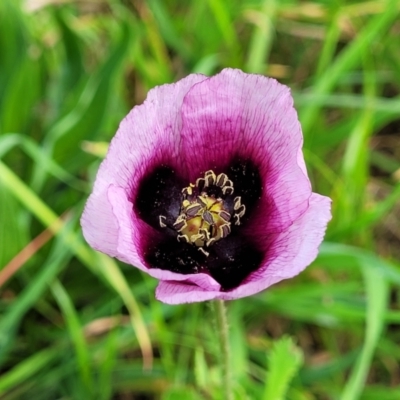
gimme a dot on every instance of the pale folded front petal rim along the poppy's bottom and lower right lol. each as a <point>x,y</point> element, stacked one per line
<point>292,252</point>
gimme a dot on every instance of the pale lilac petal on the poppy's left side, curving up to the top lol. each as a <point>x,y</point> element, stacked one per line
<point>149,135</point>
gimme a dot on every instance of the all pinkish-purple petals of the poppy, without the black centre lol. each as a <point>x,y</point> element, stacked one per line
<point>199,124</point>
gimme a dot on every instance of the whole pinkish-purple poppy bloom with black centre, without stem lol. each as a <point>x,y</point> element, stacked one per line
<point>204,187</point>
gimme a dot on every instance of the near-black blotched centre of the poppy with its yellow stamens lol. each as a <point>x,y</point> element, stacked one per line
<point>201,226</point>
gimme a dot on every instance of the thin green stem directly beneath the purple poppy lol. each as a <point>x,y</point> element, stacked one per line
<point>222,330</point>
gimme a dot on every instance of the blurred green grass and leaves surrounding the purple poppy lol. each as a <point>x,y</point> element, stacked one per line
<point>75,324</point>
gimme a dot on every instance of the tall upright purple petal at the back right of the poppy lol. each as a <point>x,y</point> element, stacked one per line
<point>250,117</point>
